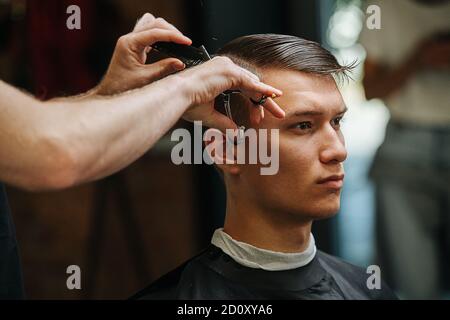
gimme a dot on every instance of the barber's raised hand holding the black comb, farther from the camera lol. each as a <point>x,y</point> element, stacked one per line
<point>128,70</point>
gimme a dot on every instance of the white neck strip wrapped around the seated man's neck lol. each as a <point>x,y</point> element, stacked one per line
<point>257,258</point>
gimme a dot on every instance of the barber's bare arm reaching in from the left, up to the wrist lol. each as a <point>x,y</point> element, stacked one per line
<point>57,144</point>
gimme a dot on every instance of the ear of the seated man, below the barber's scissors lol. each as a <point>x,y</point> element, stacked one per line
<point>221,151</point>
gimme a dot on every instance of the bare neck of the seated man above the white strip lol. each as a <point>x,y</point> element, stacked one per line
<point>275,231</point>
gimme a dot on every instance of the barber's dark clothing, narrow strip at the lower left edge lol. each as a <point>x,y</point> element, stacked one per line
<point>11,286</point>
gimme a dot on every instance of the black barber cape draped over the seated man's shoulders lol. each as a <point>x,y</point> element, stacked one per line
<point>213,275</point>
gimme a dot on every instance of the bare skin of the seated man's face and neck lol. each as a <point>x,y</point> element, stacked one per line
<point>276,212</point>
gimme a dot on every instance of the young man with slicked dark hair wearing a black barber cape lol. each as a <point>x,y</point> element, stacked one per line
<point>266,249</point>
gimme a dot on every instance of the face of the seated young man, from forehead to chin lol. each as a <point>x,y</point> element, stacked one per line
<point>311,149</point>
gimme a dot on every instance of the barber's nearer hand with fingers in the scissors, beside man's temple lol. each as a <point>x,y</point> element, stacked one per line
<point>210,79</point>
